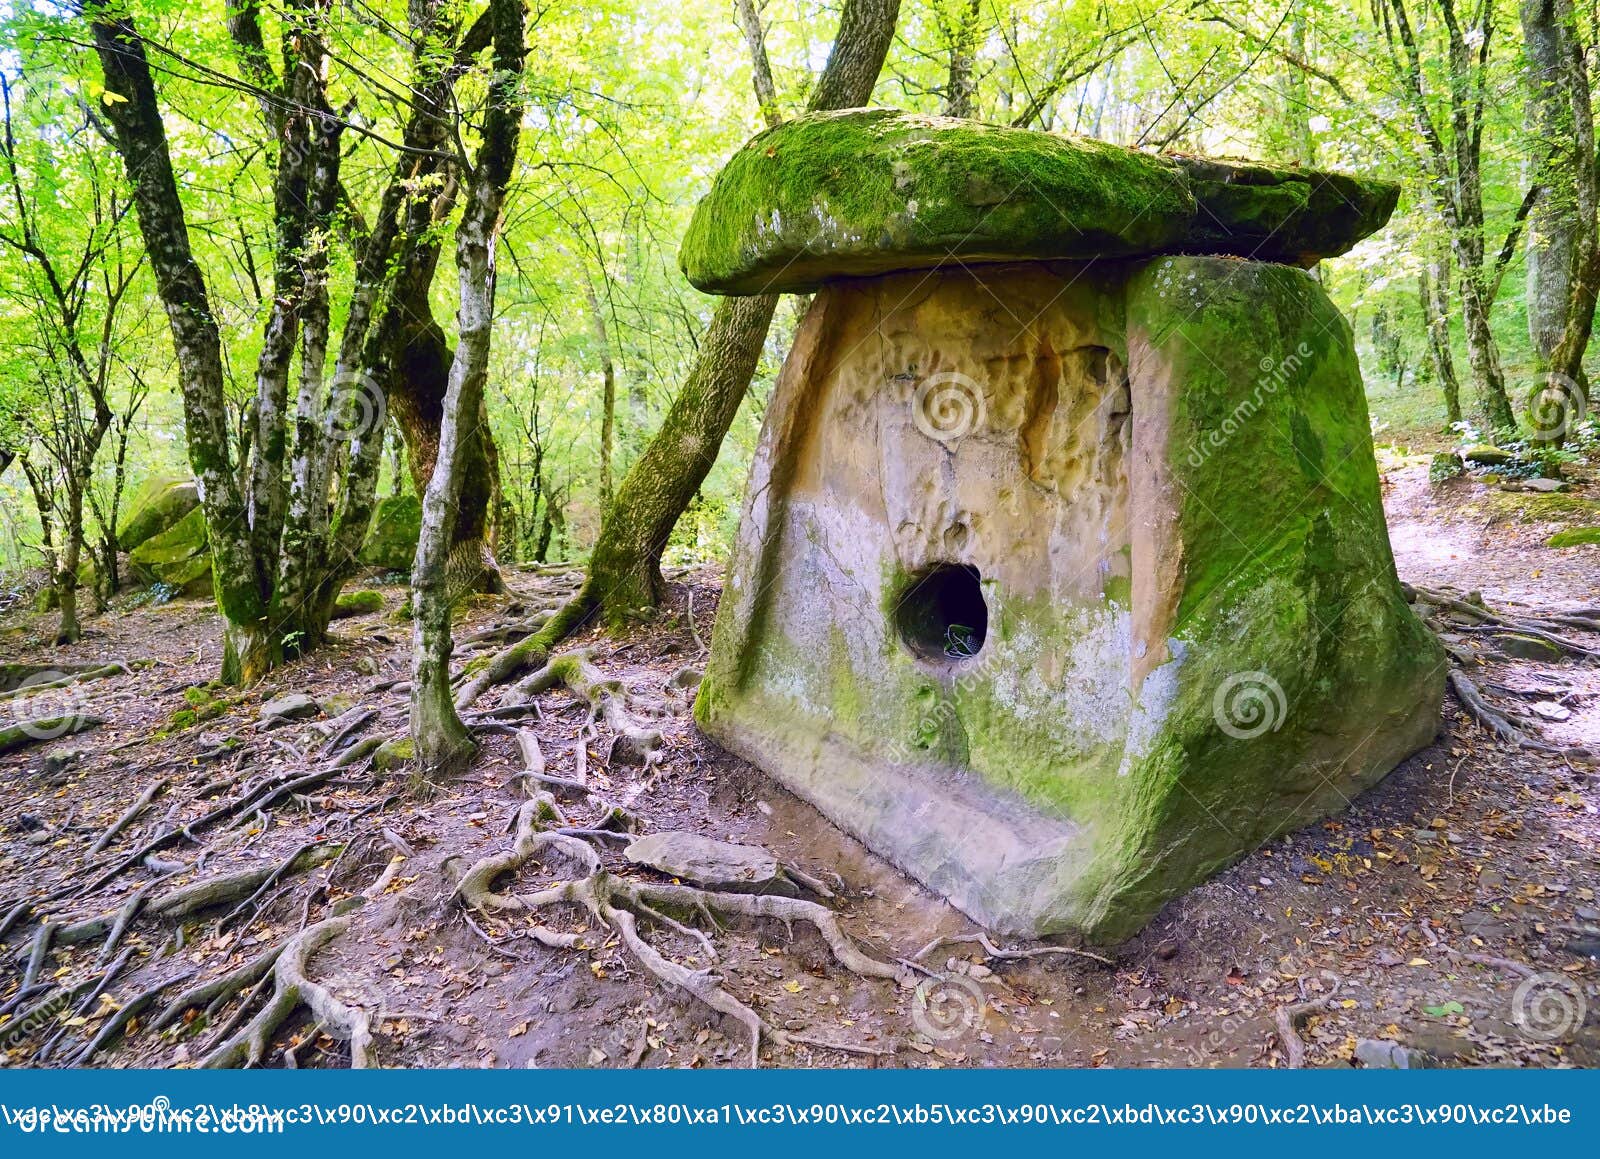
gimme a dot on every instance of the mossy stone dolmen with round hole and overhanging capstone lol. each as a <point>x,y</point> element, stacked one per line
<point>1063,575</point>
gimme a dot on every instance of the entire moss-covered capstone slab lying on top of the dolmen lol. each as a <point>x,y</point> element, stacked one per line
<point>873,191</point>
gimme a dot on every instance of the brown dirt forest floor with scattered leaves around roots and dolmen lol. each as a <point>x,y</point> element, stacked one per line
<point>1449,918</point>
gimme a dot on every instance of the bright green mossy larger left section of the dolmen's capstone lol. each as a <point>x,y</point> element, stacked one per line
<point>876,190</point>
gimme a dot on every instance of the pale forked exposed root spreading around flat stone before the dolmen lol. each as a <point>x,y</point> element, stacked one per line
<point>620,904</point>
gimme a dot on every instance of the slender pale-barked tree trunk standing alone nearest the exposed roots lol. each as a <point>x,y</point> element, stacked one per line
<point>441,740</point>
